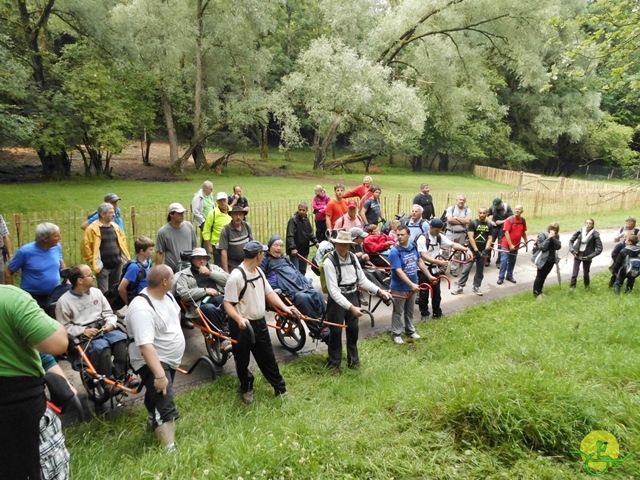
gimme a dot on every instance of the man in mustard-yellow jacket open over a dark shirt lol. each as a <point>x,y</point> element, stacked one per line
<point>104,247</point>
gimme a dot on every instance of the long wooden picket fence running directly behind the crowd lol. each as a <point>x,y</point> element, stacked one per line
<point>267,218</point>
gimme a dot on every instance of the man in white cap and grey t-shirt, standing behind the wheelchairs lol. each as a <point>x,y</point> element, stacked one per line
<point>175,236</point>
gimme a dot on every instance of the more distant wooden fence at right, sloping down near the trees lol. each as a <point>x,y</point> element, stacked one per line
<point>531,181</point>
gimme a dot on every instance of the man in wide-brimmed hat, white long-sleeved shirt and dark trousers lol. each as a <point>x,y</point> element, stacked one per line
<point>343,277</point>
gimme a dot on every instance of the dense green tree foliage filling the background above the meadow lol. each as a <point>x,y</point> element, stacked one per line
<point>551,84</point>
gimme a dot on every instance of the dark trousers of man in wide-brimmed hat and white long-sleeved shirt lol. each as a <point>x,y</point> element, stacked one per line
<point>337,314</point>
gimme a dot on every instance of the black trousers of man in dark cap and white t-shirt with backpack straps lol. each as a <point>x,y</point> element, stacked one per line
<point>262,352</point>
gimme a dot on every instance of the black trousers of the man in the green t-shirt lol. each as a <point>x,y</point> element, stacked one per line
<point>22,404</point>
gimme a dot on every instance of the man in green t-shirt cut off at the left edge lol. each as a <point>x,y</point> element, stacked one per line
<point>24,330</point>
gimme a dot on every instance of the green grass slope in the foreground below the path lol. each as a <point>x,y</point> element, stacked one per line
<point>502,390</point>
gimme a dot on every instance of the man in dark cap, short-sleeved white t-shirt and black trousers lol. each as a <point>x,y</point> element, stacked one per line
<point>246,292</point>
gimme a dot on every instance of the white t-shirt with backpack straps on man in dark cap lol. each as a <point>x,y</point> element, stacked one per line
<point>252,306</point>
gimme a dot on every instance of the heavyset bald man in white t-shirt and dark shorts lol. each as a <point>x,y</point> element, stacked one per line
<point>153,322</point>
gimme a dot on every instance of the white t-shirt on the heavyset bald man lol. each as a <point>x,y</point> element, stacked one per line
<point>159,327</point>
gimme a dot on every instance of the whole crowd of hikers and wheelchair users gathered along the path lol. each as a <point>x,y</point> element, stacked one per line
<point>231,277</point>
